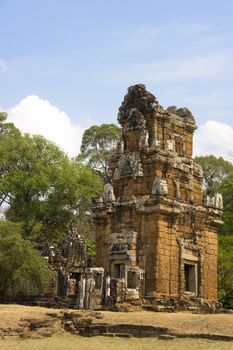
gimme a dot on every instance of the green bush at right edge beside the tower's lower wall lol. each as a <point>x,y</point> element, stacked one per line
<point>225,271</point>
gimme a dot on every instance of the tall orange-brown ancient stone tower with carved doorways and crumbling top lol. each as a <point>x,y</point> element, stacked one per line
<point>156,234</point>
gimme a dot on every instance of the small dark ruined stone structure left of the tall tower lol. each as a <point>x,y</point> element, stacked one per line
<point>75,278</point>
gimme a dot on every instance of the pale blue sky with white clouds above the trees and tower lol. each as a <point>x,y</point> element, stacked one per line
<point>71,62</point>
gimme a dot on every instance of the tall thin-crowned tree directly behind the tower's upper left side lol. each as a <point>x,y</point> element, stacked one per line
<point>97,143</point>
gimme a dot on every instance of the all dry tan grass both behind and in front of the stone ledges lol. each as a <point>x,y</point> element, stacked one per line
<point>180,322</point>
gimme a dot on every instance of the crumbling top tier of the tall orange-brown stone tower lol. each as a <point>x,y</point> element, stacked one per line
<point>146,124</point>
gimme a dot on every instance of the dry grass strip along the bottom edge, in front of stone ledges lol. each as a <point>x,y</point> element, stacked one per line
<point>74,342</point>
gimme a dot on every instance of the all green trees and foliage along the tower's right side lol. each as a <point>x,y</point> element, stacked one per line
<point>218,177</point>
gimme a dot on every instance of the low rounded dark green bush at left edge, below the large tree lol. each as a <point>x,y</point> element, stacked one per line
<point>22,269</point>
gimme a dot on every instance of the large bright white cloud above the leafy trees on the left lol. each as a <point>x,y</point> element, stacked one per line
<point>35,115</point>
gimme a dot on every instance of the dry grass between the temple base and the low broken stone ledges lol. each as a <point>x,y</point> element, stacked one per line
<point>180,322</point>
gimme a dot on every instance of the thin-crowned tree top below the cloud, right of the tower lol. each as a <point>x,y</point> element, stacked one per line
<point>215,171</point>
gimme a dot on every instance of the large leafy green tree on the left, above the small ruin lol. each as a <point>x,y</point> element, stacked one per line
<point>42,187</point>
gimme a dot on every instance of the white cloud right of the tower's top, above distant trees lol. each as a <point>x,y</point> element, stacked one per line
<point>213,138</point>
